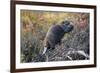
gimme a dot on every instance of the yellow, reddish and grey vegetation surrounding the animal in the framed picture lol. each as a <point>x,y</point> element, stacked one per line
<point>34,26</point>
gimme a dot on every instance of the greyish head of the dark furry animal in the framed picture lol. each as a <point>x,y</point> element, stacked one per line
<point>67,26</point>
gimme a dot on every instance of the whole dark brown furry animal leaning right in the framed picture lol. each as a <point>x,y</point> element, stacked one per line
<point>55,34</point>
